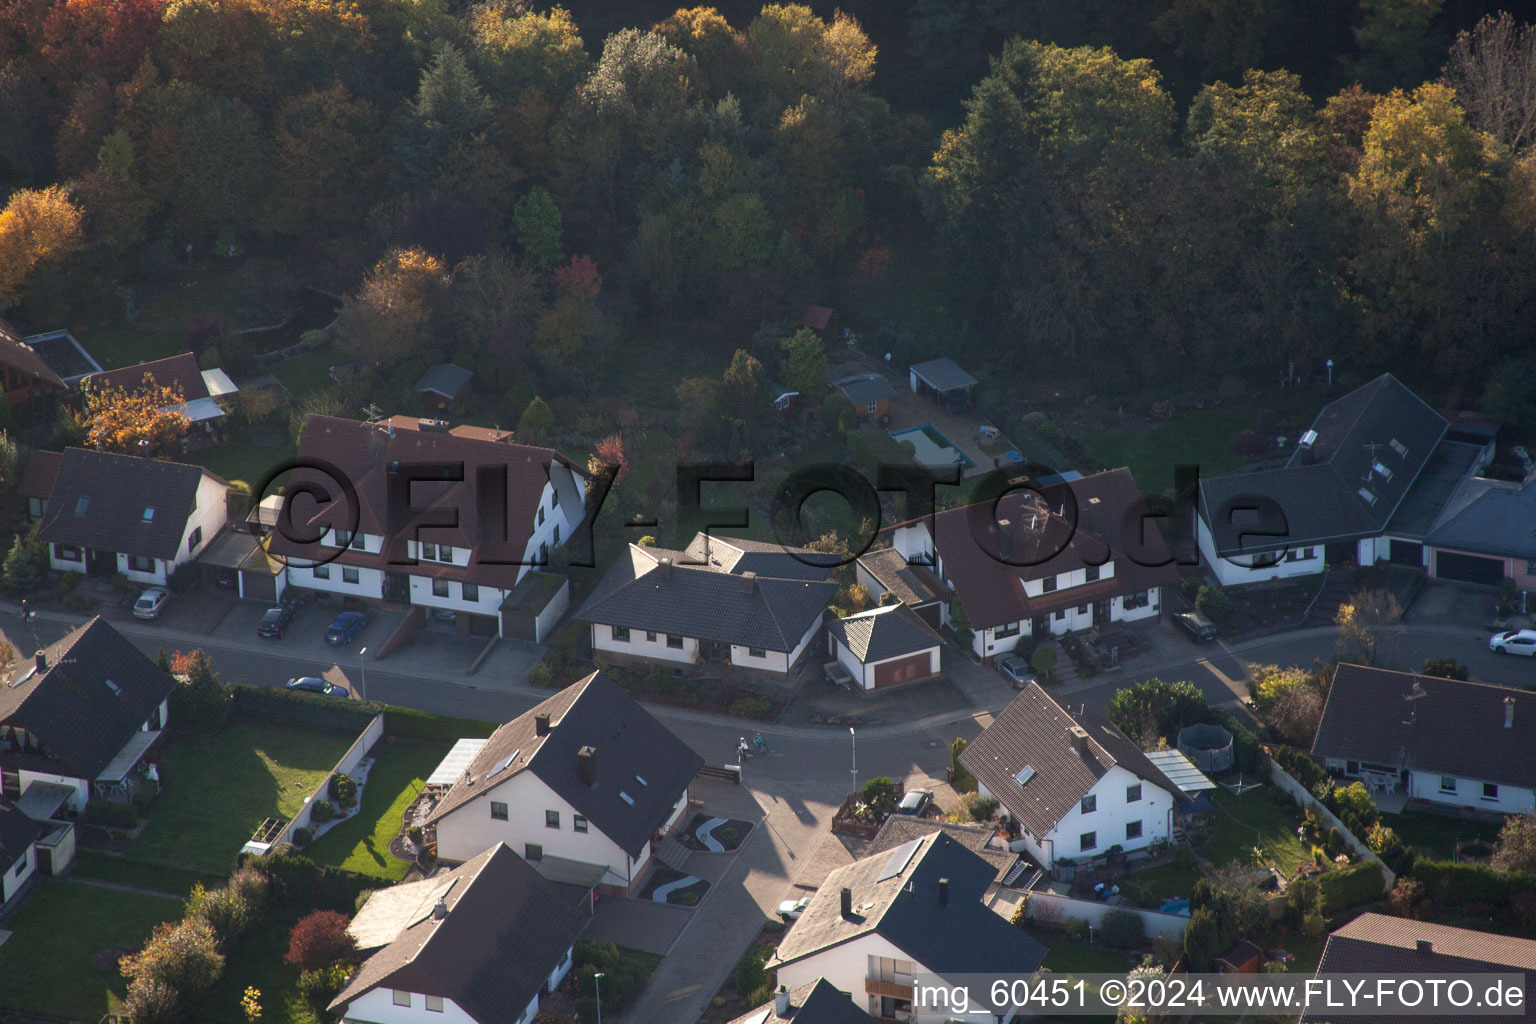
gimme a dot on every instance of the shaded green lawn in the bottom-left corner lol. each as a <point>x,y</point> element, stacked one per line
<point>68,939</point>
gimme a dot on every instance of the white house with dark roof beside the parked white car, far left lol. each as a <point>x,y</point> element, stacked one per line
<point>121,514</point>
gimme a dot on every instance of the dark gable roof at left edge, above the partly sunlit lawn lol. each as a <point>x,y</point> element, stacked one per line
<point>73,710</point>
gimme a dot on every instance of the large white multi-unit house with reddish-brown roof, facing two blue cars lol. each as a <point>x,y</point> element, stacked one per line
<point>511,507</point>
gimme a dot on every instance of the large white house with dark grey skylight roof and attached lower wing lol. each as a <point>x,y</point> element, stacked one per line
<point>1380,477</point>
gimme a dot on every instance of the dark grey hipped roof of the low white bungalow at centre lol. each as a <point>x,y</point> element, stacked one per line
<point>643,592</point>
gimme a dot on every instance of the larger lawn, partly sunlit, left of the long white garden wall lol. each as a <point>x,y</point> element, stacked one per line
<point>220,788</point>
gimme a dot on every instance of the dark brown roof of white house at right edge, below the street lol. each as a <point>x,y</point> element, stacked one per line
<point>1457,728</point>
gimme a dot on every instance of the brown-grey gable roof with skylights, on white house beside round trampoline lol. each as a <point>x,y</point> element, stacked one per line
<point>1034,732</point>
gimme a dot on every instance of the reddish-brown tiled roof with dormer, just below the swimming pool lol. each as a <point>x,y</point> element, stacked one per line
<point>993,590</point>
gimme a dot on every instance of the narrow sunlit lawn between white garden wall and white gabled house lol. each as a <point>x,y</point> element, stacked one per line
<point>362,844</point>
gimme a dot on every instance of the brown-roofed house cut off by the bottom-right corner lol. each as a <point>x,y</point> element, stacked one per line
<point>1380,945</point>
